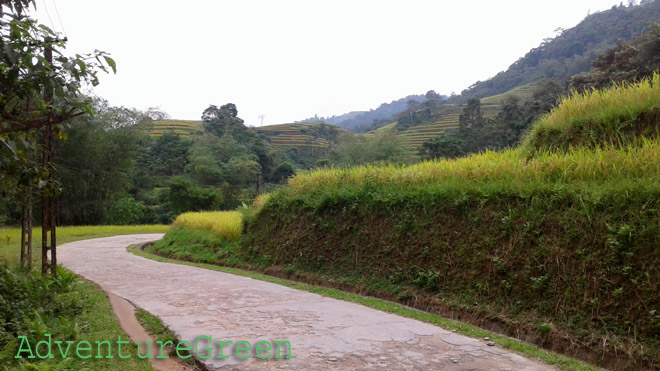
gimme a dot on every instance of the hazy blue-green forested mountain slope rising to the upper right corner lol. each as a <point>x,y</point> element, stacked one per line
<point>572,51</point>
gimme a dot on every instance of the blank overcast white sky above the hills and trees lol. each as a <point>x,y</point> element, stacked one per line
<point>289,60</point>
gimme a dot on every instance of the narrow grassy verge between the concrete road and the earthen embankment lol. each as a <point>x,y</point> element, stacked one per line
<point>527,349</point>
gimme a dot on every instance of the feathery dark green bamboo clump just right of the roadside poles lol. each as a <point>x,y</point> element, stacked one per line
<point>96,164</point>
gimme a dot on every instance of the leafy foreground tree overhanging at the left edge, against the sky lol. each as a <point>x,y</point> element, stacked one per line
<point>25,77</point>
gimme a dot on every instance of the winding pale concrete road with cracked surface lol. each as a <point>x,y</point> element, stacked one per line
<point>324,333</point>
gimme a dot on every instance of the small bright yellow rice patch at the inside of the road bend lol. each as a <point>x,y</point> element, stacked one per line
<point>226,224</point>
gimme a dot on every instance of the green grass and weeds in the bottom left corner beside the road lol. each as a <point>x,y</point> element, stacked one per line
<point>68,309</point>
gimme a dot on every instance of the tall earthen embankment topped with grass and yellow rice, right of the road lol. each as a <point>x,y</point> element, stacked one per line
<point>555,242</point>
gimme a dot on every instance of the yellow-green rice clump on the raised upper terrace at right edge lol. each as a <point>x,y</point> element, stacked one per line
<point>617,115</point>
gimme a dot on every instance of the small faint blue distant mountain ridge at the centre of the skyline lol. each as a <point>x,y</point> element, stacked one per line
<point>362,119</point>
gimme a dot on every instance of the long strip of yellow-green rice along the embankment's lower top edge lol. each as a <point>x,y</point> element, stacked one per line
<point>634,162</point>
